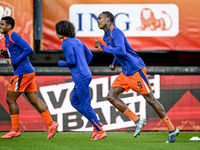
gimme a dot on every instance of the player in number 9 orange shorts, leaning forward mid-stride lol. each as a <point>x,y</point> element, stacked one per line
<point>133,75</point>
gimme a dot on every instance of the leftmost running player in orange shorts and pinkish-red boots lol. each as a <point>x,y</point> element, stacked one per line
<point>23,80</point>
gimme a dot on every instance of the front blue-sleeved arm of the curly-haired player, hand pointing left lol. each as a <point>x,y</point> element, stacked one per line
<point>69,56</point>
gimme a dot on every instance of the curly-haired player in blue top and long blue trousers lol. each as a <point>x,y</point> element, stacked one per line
<point>78,57</point>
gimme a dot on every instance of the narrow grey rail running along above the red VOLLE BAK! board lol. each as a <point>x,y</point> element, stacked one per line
<point>104,70</point>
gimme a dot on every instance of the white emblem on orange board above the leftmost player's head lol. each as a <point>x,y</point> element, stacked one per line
<point>6,9</point>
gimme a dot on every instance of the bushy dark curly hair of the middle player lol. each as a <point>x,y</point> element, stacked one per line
<point>65,28</point>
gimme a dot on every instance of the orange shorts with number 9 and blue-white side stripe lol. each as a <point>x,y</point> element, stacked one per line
<point>138,82</point>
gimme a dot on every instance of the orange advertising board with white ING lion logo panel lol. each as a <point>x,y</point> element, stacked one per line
<point>148,24</point>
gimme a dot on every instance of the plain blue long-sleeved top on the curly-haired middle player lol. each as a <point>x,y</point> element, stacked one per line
<point>78,57</point>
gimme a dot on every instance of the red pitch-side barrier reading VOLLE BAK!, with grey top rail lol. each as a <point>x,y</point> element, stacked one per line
<point>177,88</point>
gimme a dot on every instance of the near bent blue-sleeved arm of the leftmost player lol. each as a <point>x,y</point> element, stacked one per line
<point>27,50</point>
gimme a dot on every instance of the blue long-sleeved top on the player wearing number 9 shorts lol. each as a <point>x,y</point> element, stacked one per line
<point>118,45</point>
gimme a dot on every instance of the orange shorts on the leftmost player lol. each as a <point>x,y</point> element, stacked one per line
<point>23,83</point>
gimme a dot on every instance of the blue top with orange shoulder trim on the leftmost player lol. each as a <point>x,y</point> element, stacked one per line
<point>18,51</point>
